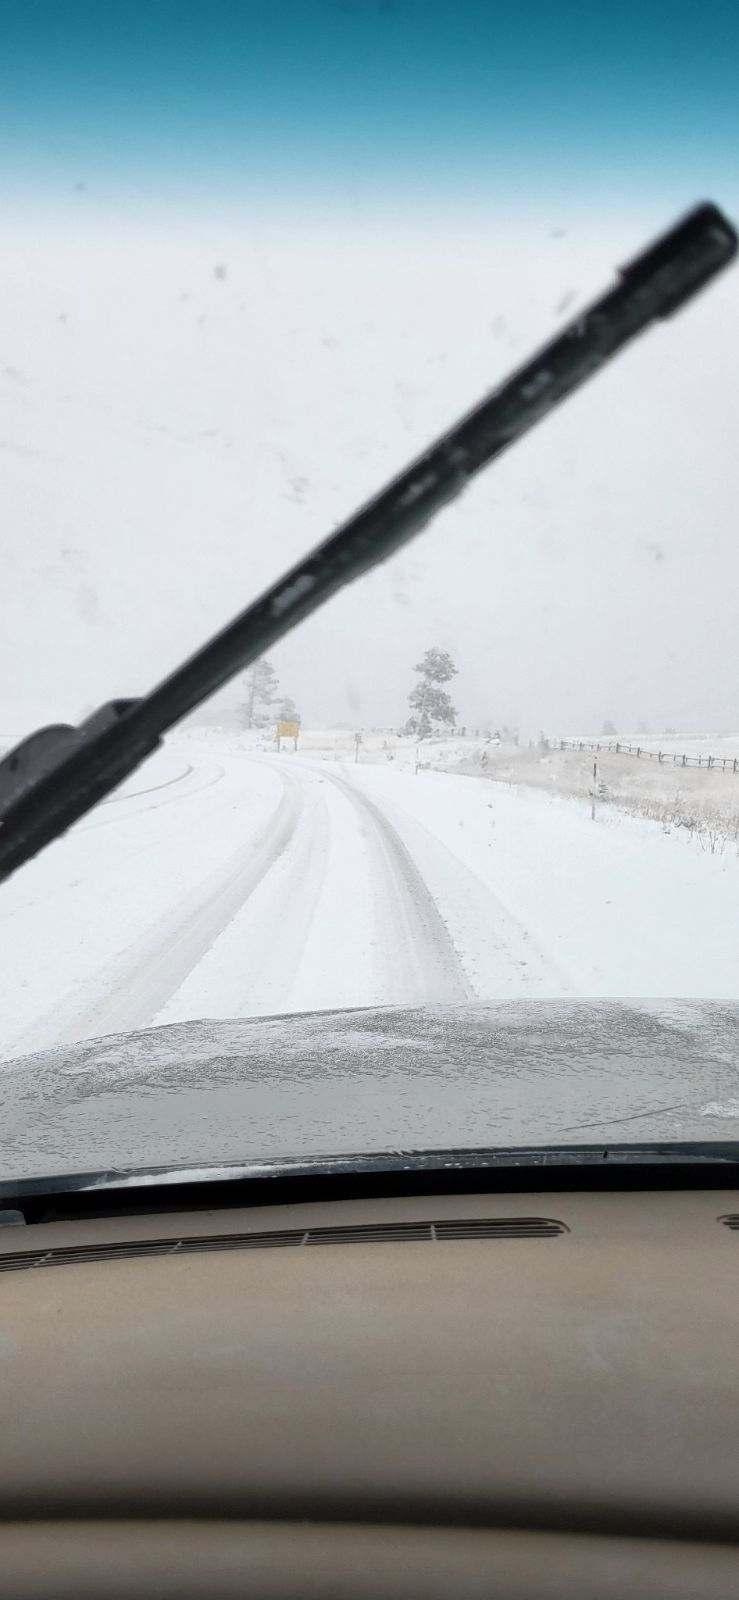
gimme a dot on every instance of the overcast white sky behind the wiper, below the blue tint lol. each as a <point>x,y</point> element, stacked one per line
<point>170,441</point>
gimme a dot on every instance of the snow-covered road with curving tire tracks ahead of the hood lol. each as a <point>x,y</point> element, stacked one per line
<point>226,882</point>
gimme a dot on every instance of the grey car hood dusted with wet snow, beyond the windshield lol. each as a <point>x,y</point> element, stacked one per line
<point>500,1074</point>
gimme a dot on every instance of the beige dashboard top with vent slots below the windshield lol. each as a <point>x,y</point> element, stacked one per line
<point>524,1414</point>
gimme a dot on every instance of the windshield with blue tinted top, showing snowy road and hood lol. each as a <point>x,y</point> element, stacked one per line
<point>457,860</point>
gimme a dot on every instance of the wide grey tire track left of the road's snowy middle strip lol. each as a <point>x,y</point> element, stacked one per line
<point>140,983</point>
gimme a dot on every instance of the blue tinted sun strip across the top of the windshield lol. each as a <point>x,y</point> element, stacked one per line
<point>359,102</point>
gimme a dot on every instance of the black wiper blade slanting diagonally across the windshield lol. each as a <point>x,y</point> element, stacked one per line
<point>54,777</point>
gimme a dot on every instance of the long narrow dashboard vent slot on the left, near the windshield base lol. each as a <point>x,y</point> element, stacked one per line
<point>351,1234</point>
